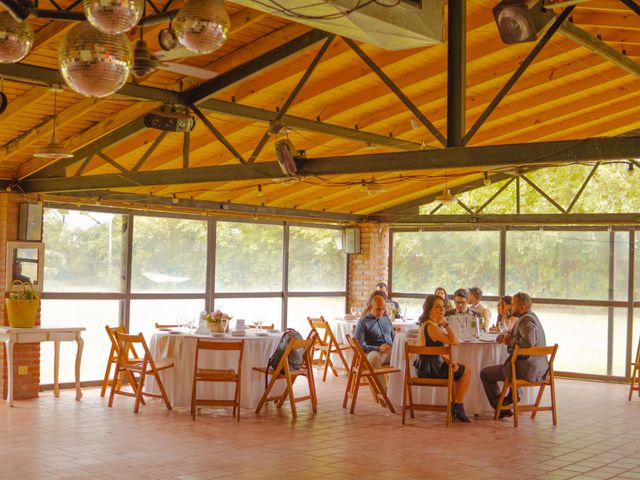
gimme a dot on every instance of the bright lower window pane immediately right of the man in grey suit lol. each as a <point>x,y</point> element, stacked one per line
<point>581,335</point>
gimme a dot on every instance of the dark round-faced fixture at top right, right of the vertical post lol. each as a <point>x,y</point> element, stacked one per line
<point>521,20</point>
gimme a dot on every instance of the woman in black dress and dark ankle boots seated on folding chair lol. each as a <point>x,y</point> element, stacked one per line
<point>436,332</point>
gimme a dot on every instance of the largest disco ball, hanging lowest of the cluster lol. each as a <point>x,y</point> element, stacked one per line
<point>93,63</point>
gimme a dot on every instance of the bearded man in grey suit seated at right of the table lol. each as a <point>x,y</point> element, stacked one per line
<point>527,332</point>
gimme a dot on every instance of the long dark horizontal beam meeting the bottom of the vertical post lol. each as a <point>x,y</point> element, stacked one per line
<point>488,157</point>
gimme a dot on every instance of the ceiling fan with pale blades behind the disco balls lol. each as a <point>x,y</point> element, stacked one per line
<point>145,62</point>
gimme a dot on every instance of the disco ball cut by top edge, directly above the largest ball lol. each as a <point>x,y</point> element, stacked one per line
<point>114,16</point>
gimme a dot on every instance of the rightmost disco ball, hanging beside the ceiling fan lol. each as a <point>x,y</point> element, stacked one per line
<point>202,25</point>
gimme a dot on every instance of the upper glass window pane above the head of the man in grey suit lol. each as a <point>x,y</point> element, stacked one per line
<point>558,264</point>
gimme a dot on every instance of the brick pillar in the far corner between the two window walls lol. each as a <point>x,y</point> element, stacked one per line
<point>371,265</point>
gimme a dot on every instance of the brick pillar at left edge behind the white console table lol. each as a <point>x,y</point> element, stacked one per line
<point>26,354</point>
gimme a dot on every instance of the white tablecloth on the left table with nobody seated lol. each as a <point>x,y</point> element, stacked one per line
<point>181,350</point>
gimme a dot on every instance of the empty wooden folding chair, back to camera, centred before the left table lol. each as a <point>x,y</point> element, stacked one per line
<point>215,375</point>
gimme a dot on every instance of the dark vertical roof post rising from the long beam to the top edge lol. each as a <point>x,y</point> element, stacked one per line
<point>456,72</point>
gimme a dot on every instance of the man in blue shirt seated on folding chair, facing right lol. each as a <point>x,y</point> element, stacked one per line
<point>375,334</point>
